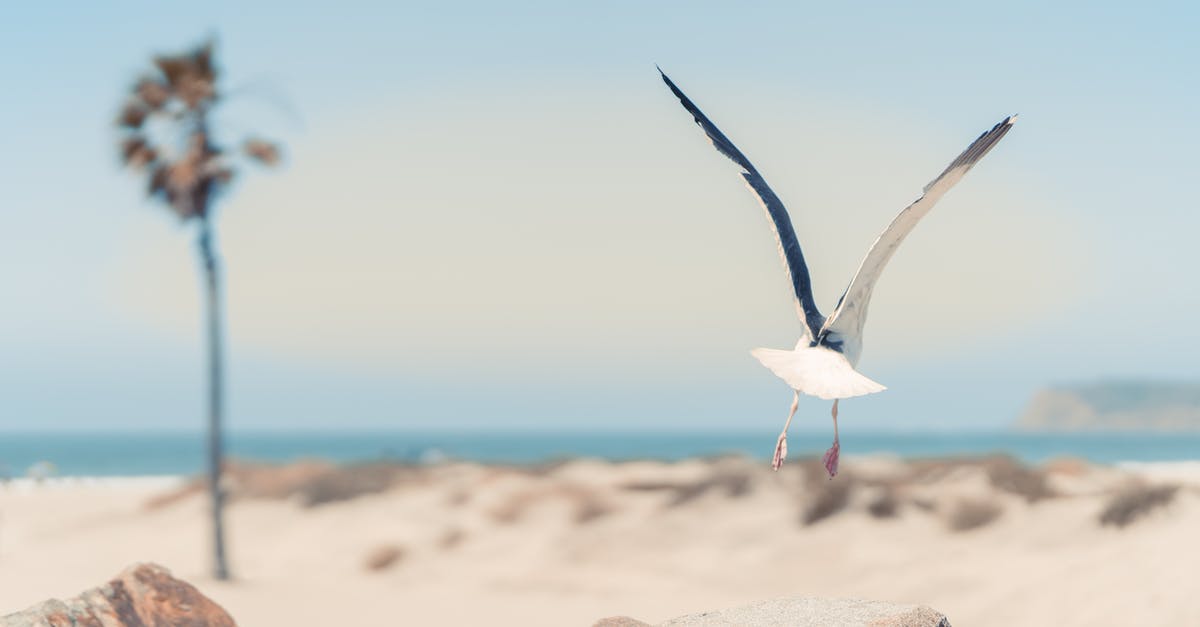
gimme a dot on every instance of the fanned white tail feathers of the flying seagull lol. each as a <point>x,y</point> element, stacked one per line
<point>818,372</point>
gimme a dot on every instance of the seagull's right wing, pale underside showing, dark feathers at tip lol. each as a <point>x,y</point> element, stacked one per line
<point>851,313</point>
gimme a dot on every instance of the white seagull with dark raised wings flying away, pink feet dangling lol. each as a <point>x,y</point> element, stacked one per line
<point>823,365</point>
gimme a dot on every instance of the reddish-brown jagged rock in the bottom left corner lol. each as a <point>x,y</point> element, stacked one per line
<point>145,595</point>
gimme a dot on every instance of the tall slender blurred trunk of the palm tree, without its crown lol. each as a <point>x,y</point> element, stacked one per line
<point>217,455</point>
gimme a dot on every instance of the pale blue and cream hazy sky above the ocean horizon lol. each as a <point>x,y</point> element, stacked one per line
<point>497,217</point>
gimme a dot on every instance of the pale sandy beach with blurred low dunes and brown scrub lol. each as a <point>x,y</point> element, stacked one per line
<point>987,542</point>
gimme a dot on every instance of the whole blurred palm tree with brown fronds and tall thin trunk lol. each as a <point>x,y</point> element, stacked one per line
<point>166,136</point>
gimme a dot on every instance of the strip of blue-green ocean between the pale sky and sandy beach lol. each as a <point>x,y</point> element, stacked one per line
<point>133,455</point>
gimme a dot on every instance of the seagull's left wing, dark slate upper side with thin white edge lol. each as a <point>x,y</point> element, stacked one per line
<point>782,224</point>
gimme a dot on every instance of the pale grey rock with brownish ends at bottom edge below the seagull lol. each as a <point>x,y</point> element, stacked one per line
<point>805,612</point>
